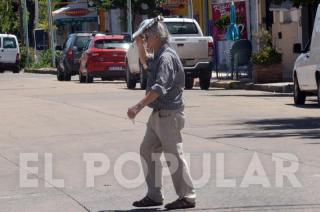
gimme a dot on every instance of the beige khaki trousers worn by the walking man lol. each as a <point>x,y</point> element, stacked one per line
<point>163,135</point>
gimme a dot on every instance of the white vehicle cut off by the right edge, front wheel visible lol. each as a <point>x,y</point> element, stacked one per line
<point>306,72</point>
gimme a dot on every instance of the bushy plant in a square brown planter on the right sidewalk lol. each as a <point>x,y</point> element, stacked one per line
<point>267,65</point>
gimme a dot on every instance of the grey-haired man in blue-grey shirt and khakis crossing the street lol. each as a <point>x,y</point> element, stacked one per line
<point>163,134</point>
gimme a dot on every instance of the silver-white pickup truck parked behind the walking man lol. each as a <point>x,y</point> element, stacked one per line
<point>194,49</point>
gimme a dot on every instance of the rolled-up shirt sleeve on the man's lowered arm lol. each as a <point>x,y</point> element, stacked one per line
<point>165,77</point>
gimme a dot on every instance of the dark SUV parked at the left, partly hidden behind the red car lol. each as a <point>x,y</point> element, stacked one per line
<point>69,61</point>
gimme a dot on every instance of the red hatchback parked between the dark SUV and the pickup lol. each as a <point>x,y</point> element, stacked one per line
<point>104,58</point>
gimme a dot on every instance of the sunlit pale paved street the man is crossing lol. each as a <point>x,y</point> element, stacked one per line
<point>40,115</point>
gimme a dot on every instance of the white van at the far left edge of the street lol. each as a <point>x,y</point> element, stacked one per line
<point>9,53</point>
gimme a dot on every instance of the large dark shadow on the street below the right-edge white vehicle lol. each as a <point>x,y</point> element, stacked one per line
<point>305,127</point>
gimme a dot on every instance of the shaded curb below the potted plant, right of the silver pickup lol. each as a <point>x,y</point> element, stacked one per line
<point>286,87</point>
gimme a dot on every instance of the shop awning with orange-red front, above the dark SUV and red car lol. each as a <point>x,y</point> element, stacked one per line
<point>74,13</point>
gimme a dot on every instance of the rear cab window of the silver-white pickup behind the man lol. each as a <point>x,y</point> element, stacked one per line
<point>181,28</point>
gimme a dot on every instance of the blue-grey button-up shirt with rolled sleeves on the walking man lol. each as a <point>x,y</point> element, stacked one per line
<point>166,77</point>
